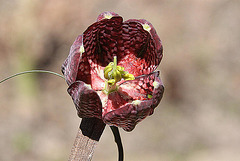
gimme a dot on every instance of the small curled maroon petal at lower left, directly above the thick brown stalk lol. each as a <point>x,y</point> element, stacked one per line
<point>86,100</point>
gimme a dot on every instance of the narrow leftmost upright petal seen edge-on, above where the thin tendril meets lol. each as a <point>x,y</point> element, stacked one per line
<point>76,66</point>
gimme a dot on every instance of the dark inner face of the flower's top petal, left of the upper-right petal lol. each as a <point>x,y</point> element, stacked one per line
<point>100,40</point>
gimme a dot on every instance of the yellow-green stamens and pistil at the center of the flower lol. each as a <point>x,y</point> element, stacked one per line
<point>113,73</point>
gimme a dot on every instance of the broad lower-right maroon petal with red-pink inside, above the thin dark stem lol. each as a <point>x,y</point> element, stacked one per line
<point>129,114</point>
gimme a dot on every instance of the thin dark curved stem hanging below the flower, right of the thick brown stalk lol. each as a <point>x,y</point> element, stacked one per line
<point>118,142</point>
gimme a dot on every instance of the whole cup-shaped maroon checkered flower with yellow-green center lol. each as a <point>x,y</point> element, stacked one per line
<point>111,73</point>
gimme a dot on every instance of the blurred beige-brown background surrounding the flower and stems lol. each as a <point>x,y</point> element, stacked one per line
<point>198,118</point>
